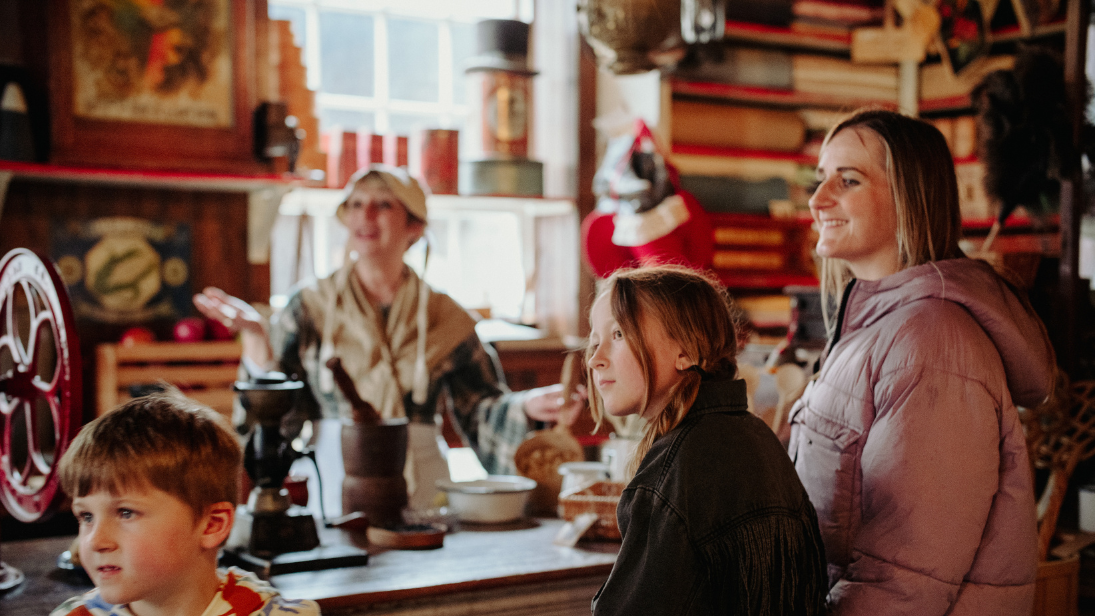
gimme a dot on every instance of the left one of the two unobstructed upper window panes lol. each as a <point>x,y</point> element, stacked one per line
<point>347,54</point>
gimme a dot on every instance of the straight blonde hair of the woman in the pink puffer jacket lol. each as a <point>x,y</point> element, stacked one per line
<point>921,175</point>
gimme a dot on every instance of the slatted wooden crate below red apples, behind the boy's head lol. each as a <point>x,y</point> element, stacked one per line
<point>204,371</point>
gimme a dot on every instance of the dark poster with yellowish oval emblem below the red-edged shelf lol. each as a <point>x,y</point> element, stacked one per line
<point>125,270</point>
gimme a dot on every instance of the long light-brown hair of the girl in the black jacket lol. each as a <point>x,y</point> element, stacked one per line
<point>696,312</point>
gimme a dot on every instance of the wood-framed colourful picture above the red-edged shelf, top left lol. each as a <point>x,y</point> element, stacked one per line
<point>166,85</point>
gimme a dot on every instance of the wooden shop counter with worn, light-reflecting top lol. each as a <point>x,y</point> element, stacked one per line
<point>502,571</point>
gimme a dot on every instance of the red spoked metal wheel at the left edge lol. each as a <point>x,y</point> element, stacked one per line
<point>41,394</point>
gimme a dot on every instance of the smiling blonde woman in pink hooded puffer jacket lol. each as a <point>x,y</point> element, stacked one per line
<point>908,440</point>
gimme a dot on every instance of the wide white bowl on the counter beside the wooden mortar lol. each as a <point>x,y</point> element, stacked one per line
<point>499,498</point>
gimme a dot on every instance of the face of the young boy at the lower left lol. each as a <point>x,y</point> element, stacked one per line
<point>143,548</point>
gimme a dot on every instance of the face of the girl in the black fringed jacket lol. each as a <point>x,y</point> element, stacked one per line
<point>618,374</point>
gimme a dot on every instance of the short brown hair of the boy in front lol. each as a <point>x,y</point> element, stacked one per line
<point>165,441</point>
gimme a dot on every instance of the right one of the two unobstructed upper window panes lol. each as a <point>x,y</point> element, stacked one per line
<point>412,50</point>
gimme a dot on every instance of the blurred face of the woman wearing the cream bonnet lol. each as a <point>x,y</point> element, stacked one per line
<point>378,224</point>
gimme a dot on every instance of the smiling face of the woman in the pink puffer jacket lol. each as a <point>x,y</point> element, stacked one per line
<point>854,206</point>
